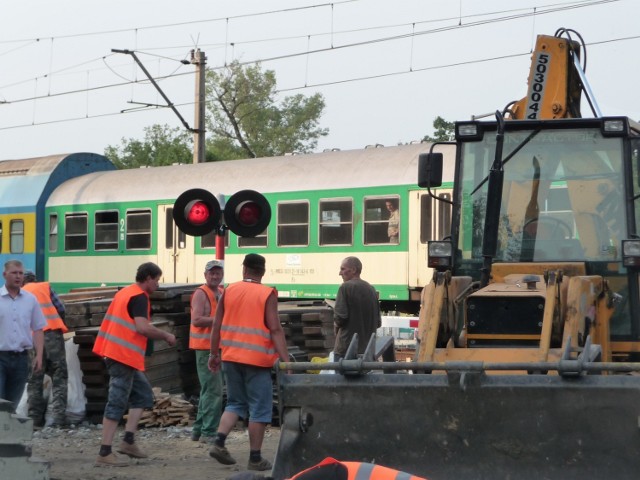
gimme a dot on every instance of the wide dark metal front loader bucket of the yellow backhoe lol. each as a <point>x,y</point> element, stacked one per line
<point>461,421</point>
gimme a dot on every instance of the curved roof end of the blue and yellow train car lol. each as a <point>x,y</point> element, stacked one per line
<point>24,182</point>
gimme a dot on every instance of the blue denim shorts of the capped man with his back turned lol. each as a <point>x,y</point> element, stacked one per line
<point>249,391</point>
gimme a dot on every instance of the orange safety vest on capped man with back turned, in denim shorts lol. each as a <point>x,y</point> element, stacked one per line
<point>244,336</point>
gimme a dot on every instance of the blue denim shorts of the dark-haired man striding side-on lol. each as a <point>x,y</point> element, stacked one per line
<point>128,387</point>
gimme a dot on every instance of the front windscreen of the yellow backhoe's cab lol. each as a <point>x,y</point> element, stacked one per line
<point>562,197</point>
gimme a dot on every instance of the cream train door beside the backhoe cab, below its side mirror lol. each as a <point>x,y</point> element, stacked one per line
<point>430,219</point>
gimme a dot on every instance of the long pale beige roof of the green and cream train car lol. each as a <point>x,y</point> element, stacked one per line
<point>318,171</point>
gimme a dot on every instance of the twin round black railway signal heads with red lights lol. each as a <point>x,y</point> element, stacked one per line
<point>197,212</point>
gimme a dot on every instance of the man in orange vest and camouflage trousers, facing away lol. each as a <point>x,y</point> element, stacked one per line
<point>54,359</point>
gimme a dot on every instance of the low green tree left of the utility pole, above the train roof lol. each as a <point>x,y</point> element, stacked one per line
<point>162,145</point>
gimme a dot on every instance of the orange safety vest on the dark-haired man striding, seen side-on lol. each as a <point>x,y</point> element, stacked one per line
<point>118,338</point>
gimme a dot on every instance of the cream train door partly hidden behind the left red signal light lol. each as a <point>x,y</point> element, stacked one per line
<point>176,250</point>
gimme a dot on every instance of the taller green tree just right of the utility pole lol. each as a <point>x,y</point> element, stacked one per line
<point>246,121</point>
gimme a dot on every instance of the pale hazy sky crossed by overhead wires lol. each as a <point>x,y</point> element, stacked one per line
<point>386,68</point>
